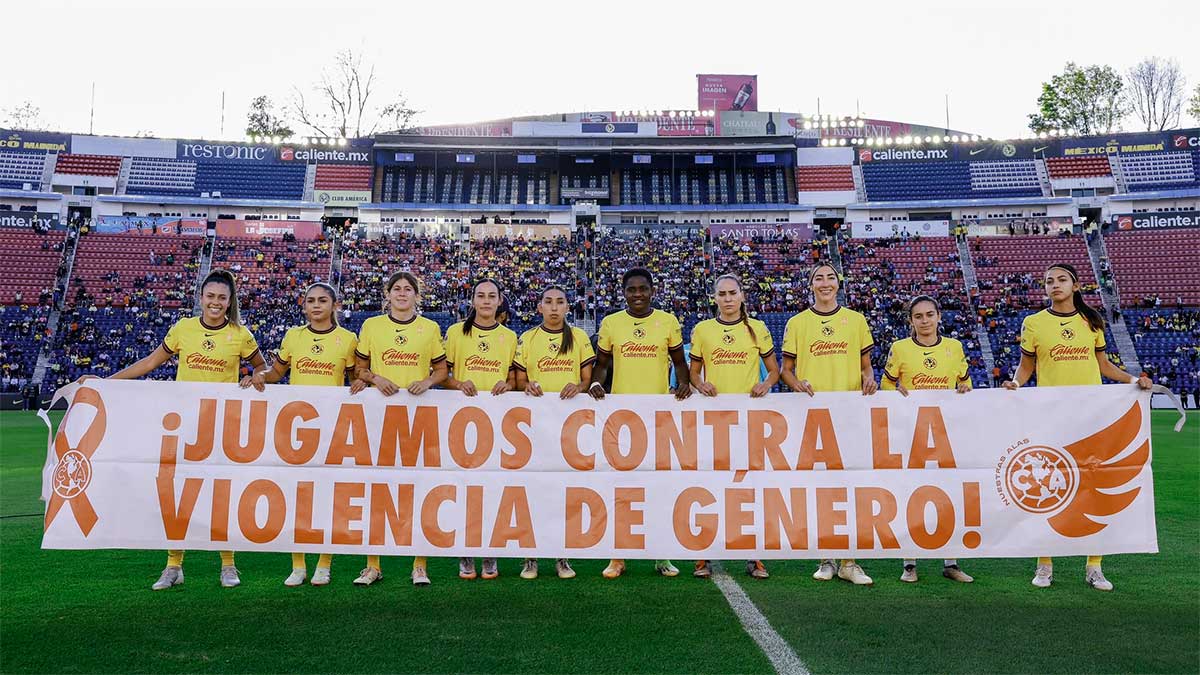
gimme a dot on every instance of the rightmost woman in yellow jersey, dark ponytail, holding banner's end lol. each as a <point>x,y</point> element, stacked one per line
<point>1052,342</point>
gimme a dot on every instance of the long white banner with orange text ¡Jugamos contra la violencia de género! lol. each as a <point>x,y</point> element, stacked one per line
<point>148,465</point>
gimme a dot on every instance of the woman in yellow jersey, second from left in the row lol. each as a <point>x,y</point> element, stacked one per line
<point>319,354</point>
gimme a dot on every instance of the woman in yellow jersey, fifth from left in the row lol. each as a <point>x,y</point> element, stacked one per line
<point>555,357</point>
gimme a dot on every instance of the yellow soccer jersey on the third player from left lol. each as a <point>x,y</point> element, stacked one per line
<point>401,351</point>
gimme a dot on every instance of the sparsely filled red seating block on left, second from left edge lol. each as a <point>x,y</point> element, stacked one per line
<point>135,271</point>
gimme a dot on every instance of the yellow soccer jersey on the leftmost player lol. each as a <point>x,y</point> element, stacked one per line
<point>207,354</point>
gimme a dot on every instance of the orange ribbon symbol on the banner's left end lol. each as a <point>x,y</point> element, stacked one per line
<point>74,471</point>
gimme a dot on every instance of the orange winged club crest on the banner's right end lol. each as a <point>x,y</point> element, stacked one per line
<point>1078,482</point>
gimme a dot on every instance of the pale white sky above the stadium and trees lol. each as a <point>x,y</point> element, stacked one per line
<point>161,68</point>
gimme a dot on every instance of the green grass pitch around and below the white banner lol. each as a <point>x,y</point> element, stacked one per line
<point>93,612</point>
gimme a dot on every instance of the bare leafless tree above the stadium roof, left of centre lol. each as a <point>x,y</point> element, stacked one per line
<point>344,101</point>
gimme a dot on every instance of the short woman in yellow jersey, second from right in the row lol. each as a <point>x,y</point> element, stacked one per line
<point>928,361</point>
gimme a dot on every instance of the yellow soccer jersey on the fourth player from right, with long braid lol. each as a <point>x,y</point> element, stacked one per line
<point>733,360</point>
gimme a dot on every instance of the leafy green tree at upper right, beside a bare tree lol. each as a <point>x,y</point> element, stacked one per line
<point>1084,100</point>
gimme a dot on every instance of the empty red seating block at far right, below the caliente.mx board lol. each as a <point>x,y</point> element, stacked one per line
<point>1162,265</point>
